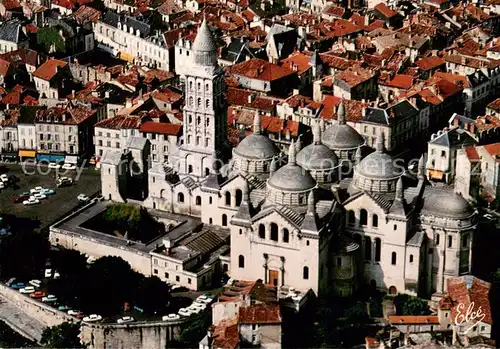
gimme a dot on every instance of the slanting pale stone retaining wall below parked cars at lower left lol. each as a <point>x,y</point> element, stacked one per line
<point>42,312</point>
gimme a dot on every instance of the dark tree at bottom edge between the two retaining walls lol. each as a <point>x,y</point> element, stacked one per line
<point>64,335</point>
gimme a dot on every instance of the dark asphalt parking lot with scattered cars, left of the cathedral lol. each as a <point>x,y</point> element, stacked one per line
<point>54,206</point>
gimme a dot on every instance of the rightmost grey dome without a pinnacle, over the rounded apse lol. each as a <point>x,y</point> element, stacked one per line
<point>446,203</point>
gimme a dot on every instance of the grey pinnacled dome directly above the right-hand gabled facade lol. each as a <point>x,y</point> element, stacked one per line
<point>379,165</point>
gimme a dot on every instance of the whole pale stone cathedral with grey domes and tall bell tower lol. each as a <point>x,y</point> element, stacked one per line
<point>301,219</point>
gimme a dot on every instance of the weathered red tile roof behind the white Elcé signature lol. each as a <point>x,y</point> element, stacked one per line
<point>466,290</point>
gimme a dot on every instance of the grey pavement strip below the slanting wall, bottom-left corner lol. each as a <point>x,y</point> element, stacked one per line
<point>20,322</point>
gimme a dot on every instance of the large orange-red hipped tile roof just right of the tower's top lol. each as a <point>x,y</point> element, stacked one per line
<point>260,69</point>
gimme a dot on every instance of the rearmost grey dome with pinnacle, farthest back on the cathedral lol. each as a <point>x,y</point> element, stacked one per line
<point>342,136</point>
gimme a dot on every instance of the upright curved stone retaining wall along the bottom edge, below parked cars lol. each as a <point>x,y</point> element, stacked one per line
<point>153,335</point>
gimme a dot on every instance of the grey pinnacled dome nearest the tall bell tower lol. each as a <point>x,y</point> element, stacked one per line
<point>256,146</point>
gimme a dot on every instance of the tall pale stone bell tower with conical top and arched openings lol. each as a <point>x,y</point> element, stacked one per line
<point>205,110</point>
